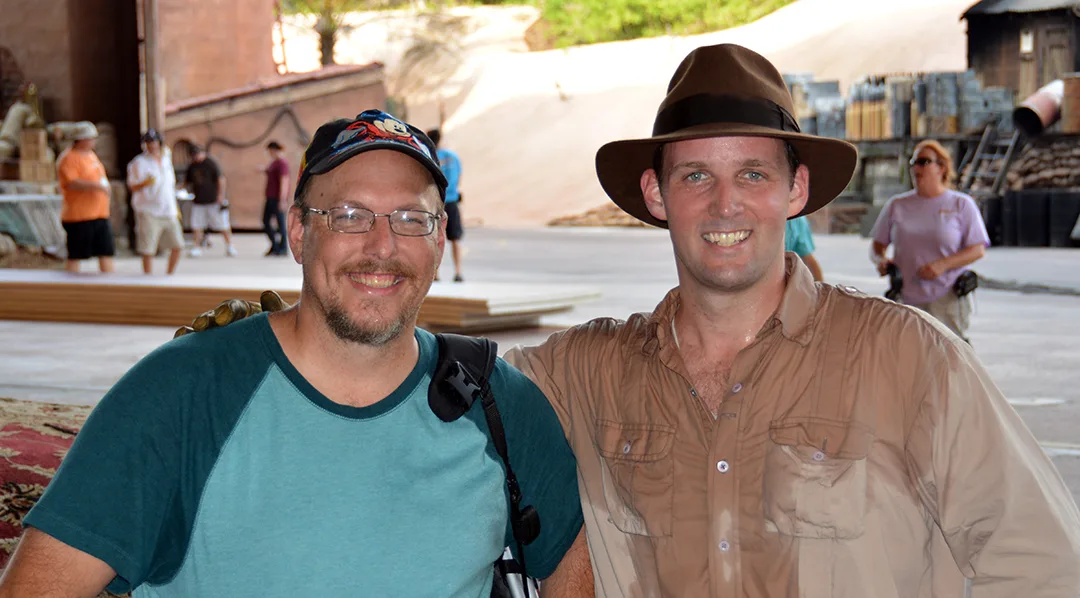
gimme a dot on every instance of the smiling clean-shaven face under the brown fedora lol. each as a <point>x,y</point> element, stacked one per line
<point>726,201</point>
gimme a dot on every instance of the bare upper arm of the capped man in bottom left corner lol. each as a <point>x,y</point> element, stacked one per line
<point>47,568</point>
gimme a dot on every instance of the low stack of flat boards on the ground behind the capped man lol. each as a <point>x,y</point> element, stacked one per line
<point>177,301</point>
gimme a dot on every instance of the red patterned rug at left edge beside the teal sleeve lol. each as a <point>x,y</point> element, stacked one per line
<point>34,439</point>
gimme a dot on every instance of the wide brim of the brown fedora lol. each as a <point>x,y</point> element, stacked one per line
<point>620,165</point>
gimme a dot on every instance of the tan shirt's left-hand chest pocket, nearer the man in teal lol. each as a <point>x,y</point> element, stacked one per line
<point>639,475</point>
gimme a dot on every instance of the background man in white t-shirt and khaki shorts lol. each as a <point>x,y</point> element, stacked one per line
<point>153,183</point>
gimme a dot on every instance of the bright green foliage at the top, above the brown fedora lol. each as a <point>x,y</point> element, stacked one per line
<point>582,22</point>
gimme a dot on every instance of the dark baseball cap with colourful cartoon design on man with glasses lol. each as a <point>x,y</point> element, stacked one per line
<point>339,141</point>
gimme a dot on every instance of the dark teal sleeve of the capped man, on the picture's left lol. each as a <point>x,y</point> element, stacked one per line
<point>112,495</point>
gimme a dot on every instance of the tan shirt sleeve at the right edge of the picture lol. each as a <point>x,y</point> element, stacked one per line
<point>1009,520</point>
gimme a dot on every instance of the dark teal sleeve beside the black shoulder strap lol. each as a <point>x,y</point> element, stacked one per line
<point>545,467</point>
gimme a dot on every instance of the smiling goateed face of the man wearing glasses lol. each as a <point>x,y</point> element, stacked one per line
<point>369,288</point>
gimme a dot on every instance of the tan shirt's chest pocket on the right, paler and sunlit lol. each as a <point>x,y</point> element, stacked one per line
<point>816,480</point>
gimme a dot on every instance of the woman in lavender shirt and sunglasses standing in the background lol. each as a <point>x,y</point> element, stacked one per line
<point>937,233</point>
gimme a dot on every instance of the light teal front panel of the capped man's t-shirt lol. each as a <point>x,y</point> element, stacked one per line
<point>320,505</point>
